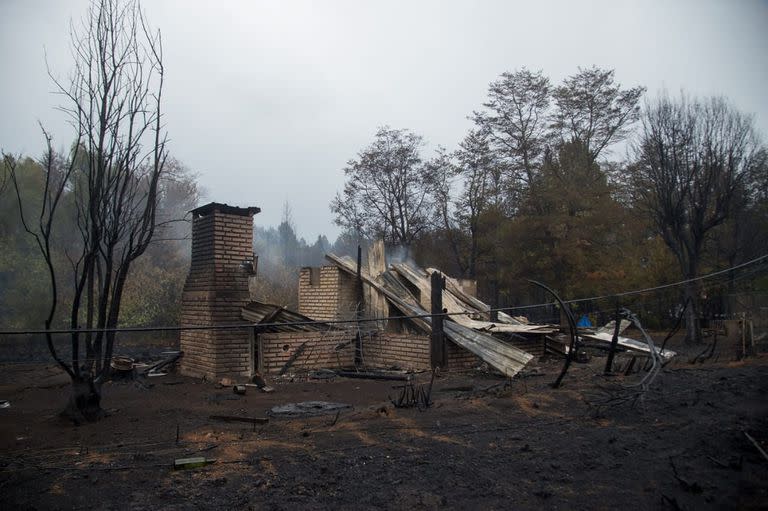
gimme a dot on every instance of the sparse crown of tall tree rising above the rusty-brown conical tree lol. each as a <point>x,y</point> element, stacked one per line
<point>594,110</point>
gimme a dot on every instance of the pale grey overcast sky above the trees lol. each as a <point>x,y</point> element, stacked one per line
<point>268,100</point>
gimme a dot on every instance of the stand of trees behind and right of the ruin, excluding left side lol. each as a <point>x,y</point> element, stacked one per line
<point>586,185</point>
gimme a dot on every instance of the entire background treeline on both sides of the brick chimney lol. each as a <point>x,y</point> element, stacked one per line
<point>533,191</point>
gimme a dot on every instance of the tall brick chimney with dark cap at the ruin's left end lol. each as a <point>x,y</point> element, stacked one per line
<point>215,291</point>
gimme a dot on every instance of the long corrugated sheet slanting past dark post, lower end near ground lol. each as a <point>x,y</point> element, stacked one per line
<point>499,355</point>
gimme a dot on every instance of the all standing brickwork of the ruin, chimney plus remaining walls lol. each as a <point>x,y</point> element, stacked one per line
<point>217,288</point>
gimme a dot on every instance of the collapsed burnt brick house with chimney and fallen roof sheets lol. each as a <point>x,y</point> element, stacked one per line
<point>351,313</point>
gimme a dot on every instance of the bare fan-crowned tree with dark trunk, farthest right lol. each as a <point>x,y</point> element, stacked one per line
<point>693,157</point>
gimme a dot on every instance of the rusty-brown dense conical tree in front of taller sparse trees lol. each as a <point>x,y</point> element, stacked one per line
<point>571,230</point>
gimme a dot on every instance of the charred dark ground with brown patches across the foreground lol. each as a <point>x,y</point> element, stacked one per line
<point>484,444</point>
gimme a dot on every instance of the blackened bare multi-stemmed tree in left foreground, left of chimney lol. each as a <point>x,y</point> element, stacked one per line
<point>112,176</point>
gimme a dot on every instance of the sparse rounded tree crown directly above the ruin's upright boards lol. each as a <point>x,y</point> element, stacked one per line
<point>386,190</point>
